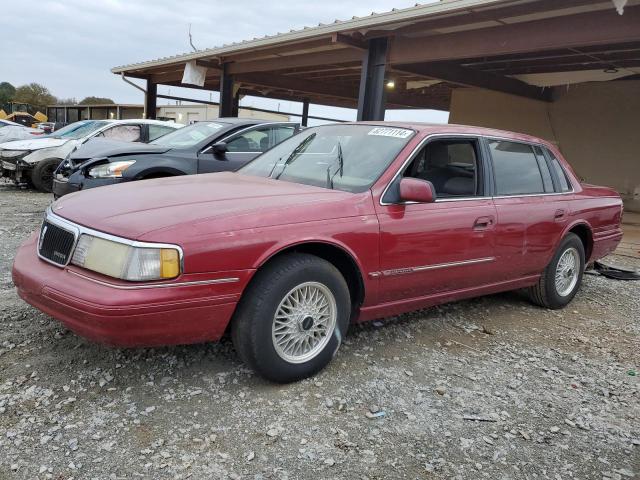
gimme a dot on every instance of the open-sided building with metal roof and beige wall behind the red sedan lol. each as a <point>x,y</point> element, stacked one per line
<point>566,71</point>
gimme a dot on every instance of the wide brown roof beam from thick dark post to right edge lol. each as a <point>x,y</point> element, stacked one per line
<point>593,28</point>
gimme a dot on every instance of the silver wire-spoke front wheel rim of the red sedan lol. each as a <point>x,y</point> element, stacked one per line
<point>304,322</point>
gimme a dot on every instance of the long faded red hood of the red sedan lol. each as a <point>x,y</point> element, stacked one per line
<point>177,208</point>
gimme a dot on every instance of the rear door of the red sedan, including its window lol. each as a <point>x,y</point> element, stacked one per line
<point>530,214</point>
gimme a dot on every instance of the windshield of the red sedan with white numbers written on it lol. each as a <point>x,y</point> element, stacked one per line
<point>343,157</point>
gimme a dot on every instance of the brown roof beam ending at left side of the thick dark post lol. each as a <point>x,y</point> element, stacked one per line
<point>330,57</point>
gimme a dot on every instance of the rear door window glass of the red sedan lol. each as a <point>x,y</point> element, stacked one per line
<point>515,168</point>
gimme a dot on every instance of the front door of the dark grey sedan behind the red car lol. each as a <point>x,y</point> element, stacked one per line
<point>244,146</point>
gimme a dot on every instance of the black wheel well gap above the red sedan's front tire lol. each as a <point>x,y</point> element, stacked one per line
<point>340,259</point>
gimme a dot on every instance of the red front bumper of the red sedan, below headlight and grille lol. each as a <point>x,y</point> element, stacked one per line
<point>118,315</point>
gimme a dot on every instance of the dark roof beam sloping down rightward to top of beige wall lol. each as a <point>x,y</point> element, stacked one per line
<point>469,77</point>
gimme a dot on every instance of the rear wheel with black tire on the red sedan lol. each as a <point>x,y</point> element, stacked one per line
<point>561,280</point>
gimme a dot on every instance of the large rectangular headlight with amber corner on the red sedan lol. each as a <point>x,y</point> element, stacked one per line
<point>124,261</point>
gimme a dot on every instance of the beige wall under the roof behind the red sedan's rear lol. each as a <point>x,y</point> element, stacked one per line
<point>596,126</point>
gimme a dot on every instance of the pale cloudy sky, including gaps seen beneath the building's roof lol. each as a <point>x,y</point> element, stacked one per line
<point>70,46</point>
